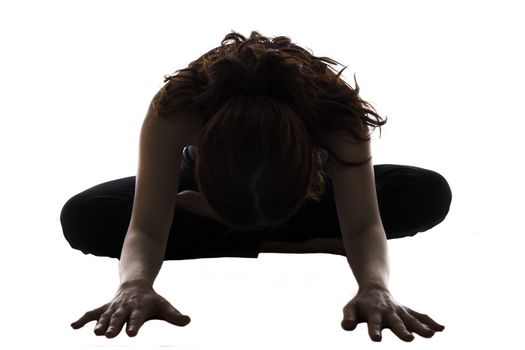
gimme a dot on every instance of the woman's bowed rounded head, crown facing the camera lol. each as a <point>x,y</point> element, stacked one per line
<point>257,164</point>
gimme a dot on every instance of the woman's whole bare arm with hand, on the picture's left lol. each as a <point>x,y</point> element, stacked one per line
<point>162,140</point>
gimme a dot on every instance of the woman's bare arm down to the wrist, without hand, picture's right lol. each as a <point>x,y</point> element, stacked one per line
<point>355,195</point>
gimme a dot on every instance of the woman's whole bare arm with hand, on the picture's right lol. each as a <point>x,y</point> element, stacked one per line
<point>366,248</point>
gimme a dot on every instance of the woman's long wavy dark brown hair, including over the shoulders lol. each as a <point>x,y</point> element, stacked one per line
<point>267,105</point>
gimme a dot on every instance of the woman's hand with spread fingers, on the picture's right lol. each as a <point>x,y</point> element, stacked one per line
<point>376,306</point>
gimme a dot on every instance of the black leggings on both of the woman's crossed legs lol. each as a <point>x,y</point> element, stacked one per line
<point>95,221</point>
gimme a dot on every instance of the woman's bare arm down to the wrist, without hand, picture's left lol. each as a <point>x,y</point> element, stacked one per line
<point>162,141</point>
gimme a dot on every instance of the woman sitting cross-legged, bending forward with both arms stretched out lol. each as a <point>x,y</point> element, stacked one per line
<point>256,147</point>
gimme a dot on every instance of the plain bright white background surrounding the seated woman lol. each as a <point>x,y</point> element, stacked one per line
<point>76,78</point>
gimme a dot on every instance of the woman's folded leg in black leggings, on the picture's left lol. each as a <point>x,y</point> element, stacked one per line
<point>96,220</point>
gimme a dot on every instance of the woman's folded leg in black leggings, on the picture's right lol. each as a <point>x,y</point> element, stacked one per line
<point>411,200</point>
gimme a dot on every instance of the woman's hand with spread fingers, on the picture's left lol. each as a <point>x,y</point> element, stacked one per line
<point>134,303</point>
